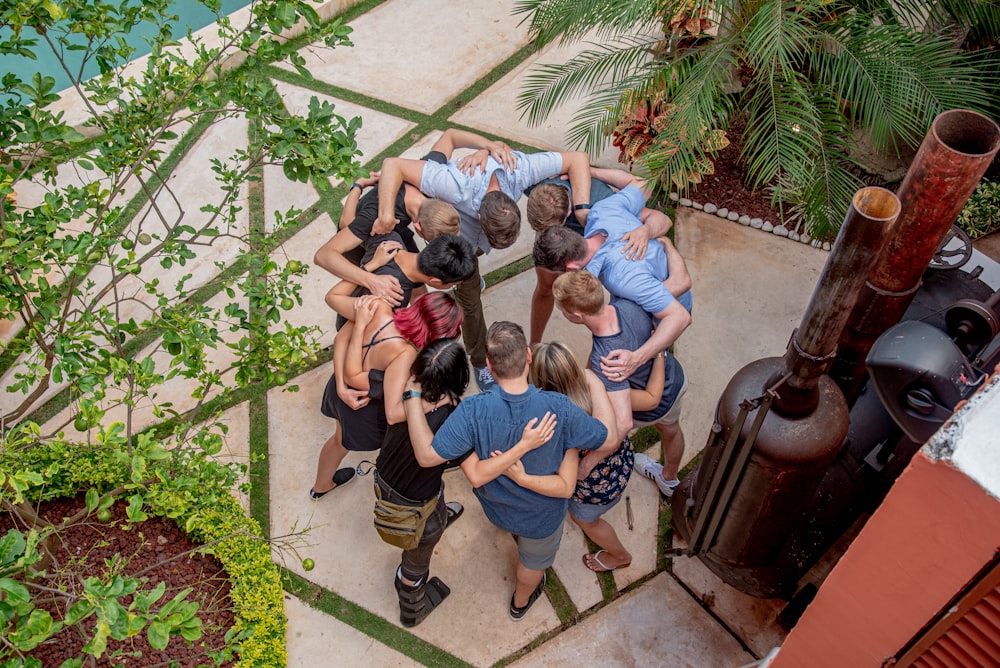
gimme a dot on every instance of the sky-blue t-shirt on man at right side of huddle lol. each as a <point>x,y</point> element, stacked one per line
<point>638,280</point>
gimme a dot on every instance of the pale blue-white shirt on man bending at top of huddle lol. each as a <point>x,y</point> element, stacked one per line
<point>448,183</point>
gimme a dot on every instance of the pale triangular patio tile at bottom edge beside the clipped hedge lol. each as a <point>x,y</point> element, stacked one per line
<point>317,639</point>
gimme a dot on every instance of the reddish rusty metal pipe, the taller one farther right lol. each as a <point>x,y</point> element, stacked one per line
<point>956,152</point>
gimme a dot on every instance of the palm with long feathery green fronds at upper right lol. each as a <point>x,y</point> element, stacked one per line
<point>804,75</point>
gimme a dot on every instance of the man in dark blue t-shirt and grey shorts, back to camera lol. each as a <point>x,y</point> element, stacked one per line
<point>493,422</point>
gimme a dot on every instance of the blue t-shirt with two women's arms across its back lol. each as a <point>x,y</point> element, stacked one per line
<point>494,420</point>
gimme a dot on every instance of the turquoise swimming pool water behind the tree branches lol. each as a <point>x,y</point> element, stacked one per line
<point>189,12</point>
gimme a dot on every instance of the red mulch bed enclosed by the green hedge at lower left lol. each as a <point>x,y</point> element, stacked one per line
<point>152,548</point>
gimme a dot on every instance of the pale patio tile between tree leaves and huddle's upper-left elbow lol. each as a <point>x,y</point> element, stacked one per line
<point>315,283</point>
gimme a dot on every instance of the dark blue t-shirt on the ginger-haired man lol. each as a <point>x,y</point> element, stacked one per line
<point>635,326</point>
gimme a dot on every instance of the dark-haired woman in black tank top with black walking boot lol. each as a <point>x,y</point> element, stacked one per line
<point>443,374</point>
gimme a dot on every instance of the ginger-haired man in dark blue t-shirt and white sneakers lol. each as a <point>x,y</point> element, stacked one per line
<point>624,325</point>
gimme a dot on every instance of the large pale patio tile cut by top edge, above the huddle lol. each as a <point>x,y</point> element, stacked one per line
<point>421,53</point>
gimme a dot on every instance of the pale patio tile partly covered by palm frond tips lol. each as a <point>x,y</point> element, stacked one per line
<point>495,110</point>
